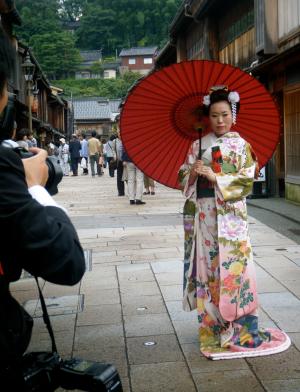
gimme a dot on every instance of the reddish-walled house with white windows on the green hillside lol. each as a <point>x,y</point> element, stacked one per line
<point>138,59</point>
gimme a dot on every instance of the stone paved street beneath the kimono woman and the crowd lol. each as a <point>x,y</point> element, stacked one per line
<point>131,296</point>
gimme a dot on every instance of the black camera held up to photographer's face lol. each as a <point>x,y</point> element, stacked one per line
<point>55,173</point>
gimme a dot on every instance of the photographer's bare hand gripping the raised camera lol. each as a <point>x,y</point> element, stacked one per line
<point>36,169</point>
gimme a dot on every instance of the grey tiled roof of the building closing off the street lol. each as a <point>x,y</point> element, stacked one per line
<point>94,108</point>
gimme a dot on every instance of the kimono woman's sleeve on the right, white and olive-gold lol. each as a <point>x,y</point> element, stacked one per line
<point>235,186</point>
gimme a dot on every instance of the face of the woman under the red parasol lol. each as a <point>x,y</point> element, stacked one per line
<point>220,117</point>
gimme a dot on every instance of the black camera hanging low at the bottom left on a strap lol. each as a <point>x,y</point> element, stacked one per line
<point>46,371</point>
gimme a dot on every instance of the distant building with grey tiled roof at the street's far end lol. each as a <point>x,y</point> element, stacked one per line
<point>95,113</point>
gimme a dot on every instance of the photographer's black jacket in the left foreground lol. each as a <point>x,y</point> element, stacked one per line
<point>41,240</point>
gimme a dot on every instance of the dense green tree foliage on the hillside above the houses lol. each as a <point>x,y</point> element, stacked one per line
<point>109,25</point>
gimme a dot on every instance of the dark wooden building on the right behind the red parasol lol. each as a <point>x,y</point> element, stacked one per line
<point>261,37</point>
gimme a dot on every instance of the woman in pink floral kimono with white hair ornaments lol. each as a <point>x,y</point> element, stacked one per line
<point>218,260</point>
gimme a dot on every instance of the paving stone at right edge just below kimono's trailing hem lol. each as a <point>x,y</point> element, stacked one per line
<point>283,366</point>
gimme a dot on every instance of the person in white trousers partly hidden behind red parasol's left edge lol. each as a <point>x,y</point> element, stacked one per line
<point>135,180</point>
